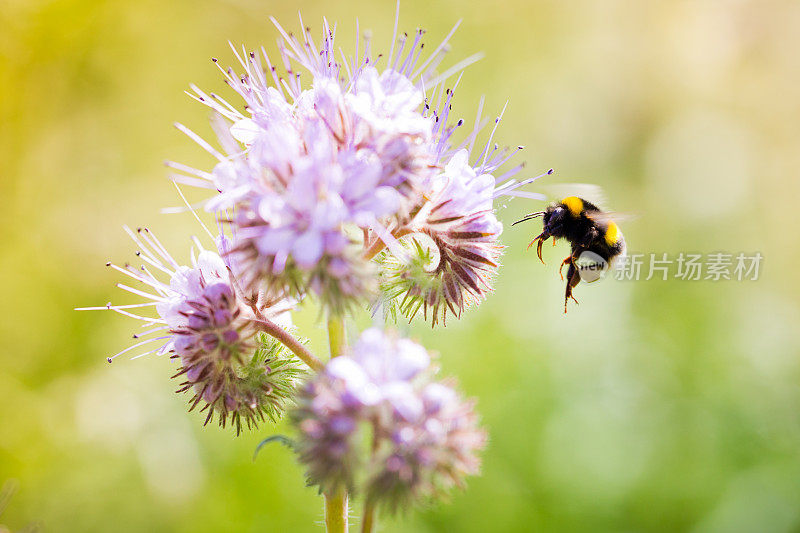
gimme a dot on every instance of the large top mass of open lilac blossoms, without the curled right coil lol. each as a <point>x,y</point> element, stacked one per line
<point>302,166</point>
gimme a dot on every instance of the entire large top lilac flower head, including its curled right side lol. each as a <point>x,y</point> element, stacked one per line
<point>316,180</point>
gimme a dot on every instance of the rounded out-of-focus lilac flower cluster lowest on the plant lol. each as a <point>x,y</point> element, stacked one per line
<point>376,422</point>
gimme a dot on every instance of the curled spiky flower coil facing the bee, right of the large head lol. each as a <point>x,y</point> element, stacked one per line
<point>455,267</point>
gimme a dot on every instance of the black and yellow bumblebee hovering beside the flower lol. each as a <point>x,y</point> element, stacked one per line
<point>586,227</point>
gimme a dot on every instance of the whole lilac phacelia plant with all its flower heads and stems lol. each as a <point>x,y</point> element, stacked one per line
<point>355,188</point>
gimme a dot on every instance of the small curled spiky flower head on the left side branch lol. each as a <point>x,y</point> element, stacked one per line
<point>233,370</point>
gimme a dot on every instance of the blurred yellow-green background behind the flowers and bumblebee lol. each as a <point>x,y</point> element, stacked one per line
<point>652,406</point>
